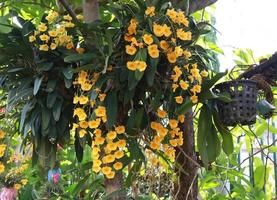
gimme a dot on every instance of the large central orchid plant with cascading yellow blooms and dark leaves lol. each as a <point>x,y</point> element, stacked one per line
<point>133,96</point>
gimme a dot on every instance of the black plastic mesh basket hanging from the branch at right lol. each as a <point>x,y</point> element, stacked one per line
<point>242,108</point>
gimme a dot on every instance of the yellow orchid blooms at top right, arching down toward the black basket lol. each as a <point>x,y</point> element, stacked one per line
<point>167,36</point>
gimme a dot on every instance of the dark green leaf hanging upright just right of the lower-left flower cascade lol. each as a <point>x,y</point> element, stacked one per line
<point>111,105</point>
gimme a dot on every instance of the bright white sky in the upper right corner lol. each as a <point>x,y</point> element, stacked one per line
<point>246,24</point>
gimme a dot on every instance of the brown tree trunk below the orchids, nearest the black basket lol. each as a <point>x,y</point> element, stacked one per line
<point>186,185</point>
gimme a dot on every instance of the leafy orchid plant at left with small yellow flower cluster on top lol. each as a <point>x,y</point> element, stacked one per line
<point>38,80</point>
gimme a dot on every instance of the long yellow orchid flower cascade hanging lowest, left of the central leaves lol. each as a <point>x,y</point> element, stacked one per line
<point>108,146</point>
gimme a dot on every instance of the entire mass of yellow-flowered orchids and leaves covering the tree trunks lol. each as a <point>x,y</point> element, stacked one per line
<point>126,81</point>
